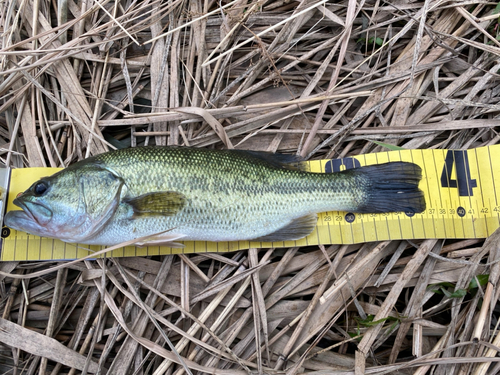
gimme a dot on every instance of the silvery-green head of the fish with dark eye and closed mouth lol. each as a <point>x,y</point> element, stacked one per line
<point>73,205</point>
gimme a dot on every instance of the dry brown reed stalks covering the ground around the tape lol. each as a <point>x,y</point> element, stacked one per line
<point>322,79</point>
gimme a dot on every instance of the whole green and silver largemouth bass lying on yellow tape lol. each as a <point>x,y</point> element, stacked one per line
<point>160,193</point>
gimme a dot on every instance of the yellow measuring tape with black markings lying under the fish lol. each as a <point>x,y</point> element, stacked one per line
<point>460,188</point>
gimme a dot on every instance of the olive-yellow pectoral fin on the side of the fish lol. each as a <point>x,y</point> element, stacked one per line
<point>161,203</point>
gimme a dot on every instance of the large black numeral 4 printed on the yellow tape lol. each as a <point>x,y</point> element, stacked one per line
<point>464,182</point>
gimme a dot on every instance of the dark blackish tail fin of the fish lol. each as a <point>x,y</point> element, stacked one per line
<point>391,187</point>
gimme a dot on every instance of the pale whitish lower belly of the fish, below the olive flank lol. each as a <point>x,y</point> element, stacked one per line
<point>244,217</point>
